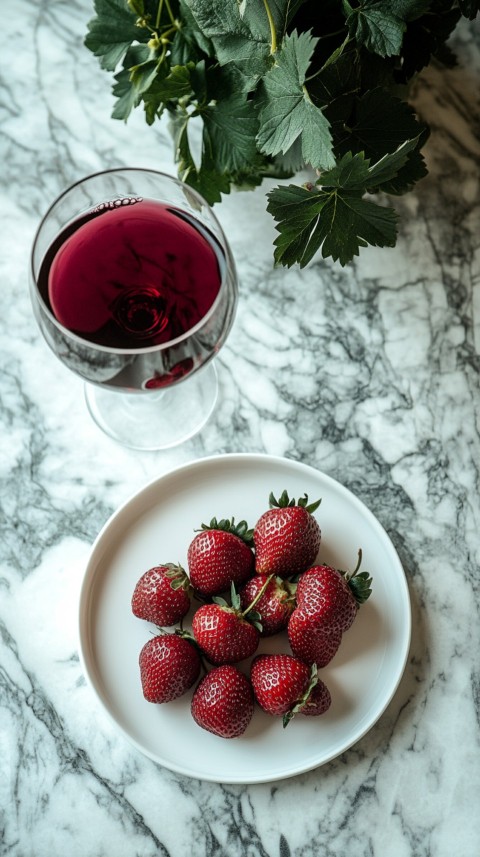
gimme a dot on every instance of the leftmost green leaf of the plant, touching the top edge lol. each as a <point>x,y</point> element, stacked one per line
<point>112,32</point>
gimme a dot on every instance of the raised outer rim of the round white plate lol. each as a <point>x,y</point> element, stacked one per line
<point>89,576</point>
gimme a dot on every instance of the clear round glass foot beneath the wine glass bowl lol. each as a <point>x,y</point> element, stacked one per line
<point>157,420</point>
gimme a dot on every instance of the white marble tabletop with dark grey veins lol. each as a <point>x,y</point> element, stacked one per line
<point>369,373</point>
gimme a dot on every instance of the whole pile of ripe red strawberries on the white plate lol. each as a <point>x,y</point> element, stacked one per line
<point>274,585</point>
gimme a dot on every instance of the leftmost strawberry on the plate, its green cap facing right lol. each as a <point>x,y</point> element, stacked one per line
<point>162,595</point>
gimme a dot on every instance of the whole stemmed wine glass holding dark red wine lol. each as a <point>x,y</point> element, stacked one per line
<point>134,288</point>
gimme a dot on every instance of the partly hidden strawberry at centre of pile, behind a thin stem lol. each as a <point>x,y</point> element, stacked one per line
<point>275,604</point>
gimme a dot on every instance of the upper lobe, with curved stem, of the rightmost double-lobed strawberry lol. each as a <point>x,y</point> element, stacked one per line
<point>331,598</point>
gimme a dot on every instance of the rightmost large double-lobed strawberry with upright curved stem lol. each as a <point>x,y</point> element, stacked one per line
<point>327,603</point>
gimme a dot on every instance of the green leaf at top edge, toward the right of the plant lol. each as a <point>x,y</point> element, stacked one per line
<point>376,26</point>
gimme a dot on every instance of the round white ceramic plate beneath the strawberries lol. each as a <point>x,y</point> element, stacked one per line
<point>155,526</point>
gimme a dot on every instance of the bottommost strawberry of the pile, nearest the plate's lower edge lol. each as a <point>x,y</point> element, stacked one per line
<point>223,702</point>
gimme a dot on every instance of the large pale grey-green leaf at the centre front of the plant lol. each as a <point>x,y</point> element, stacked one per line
<point>287,111</point>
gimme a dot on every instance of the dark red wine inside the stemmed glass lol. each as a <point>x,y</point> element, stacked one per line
<point>131,274</point>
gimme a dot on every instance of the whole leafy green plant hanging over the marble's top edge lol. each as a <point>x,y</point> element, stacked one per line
<point>283,84</point>
